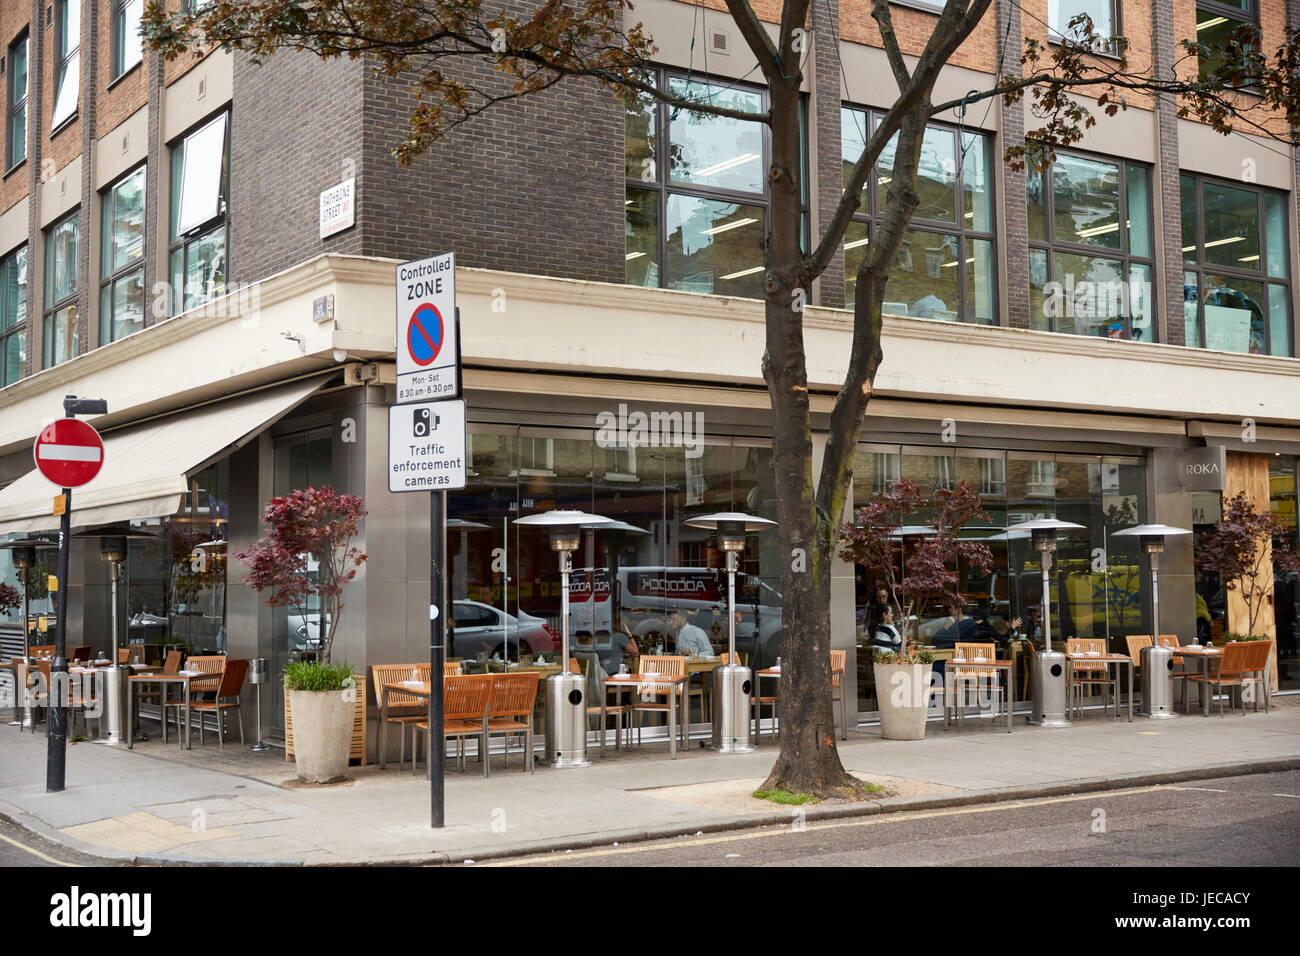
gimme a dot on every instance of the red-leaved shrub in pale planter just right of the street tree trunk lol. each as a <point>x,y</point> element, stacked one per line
<point>915,576</point>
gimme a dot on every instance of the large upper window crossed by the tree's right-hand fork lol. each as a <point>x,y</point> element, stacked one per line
<point>946,266</point>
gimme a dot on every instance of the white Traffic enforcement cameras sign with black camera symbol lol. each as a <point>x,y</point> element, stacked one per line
<point>427,447</point>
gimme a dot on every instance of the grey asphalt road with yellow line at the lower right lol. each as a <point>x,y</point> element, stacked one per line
<point>1234,821</point>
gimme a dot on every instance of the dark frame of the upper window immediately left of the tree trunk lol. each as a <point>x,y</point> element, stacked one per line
<point>665,187</point>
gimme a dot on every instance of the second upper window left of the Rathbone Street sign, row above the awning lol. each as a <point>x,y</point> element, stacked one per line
<point>122,299</point>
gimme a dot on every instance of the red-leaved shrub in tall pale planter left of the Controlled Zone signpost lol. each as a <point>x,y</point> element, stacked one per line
<point>307,553</point>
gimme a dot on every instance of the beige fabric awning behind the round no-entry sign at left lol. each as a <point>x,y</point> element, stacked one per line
<point>148,468</point>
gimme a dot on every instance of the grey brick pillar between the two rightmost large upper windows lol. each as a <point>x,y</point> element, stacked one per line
<point>1169,236</point>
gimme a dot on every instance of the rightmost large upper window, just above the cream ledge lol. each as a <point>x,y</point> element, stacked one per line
<point>1237,296</point>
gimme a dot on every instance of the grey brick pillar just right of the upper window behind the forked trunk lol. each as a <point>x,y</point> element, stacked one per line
<point>1012,202</point>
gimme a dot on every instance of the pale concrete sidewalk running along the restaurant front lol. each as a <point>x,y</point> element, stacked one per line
<point>207,806</point>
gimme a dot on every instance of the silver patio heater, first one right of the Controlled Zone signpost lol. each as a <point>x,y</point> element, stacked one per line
<point>566,694</point>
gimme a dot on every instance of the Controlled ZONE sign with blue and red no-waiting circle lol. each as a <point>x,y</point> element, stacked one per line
<point>428,343</point>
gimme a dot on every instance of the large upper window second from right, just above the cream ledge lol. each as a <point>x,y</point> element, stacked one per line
<point>1091,246</point>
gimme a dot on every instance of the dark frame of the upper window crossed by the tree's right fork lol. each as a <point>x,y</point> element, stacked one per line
<point>870,213</point>
